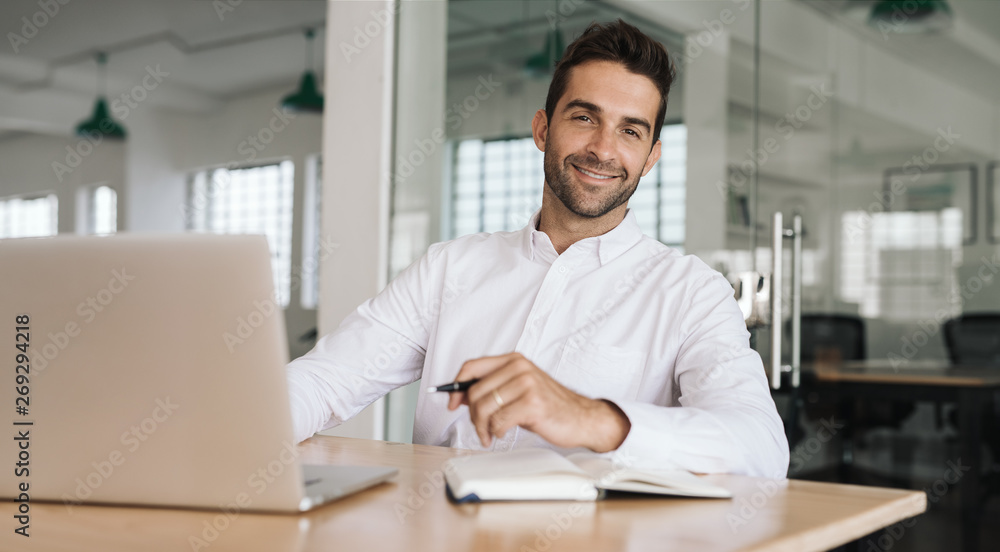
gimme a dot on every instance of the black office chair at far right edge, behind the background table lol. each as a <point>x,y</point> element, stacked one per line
<point>975,339</point>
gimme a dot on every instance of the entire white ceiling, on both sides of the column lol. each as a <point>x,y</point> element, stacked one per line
<point>50,82</point>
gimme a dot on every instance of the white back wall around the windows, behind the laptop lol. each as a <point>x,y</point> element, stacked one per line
<point>149,170</point>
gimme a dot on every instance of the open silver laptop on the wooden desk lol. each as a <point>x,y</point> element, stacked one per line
<point>149,370</point>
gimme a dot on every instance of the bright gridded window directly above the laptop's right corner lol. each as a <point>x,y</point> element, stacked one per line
<point>253,200</point>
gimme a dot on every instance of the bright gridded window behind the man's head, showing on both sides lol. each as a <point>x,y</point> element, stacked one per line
<point>497,185</point>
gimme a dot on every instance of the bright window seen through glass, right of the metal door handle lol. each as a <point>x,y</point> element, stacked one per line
<point>901,265</point>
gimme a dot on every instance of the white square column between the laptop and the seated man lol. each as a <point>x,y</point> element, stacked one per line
<point>357,148</point>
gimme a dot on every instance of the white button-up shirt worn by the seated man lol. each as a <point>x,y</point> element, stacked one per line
<point>618,316</point>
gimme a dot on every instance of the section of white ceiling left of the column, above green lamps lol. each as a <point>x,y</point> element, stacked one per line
<point>210,56</point>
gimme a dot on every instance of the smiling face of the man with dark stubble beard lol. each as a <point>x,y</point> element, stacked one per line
<point>599,141</point>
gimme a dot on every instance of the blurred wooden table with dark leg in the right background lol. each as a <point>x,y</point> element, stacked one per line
<point>970,387</point>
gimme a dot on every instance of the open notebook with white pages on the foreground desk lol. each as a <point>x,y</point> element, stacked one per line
<point>543,474</point>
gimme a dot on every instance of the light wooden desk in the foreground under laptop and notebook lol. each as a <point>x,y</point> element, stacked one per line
<point>412,513</point>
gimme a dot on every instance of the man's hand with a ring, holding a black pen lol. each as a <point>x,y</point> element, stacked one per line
<point>512,391</point>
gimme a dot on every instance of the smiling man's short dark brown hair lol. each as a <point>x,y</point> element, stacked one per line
<point>621,43</point>
